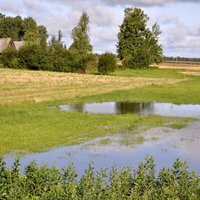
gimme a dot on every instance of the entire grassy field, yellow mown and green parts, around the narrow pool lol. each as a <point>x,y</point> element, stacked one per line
<point>27,122</point>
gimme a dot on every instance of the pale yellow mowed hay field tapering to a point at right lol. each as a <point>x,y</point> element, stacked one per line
<point>20,86</point>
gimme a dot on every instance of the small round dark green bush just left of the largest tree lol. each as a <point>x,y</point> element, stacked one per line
<point>107,63</point>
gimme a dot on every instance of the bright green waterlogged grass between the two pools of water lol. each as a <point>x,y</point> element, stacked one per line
<point>36,127</point>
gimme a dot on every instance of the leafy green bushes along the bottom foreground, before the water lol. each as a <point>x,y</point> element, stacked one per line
<point>50,183</point>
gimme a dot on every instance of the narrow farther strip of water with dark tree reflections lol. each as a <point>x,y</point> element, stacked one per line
<point>143,108</point>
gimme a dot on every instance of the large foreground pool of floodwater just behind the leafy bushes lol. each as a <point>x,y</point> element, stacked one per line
<point>164,144</point>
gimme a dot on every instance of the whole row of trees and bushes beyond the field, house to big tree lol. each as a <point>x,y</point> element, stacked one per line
<point>138,46</point>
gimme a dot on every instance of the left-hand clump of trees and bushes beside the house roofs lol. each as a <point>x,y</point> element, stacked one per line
<point>37,54</point>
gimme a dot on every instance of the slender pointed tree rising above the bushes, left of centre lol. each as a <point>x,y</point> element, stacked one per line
<point>81,41</point>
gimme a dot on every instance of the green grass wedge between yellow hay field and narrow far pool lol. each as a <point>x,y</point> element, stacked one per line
<point>186,92</point>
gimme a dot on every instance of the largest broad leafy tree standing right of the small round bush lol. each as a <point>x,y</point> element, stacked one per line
<point>138,45</point>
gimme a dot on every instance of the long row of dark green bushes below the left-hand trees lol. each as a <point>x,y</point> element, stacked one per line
<point>53,58</point>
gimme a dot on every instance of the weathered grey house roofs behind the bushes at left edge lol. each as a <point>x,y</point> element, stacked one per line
<point>9,43</point>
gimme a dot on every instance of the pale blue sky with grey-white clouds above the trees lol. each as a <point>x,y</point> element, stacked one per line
<point>179,20</point>
